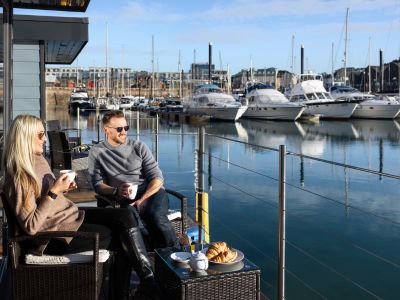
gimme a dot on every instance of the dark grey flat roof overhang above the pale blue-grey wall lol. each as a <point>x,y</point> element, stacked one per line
<point>63,37</point>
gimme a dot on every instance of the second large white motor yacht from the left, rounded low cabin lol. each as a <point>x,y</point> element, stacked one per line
<point>265,102</point>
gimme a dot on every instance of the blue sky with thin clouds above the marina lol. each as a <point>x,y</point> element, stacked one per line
<point>243,33</point>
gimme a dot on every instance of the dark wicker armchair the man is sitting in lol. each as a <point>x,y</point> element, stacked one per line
<point>180,224</point>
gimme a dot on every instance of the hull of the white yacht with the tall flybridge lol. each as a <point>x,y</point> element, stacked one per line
<point>331,110</point>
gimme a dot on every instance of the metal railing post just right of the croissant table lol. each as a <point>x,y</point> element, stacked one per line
<point>281,224</point>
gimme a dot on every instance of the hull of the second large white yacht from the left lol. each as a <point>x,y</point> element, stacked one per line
<point>287,113</point>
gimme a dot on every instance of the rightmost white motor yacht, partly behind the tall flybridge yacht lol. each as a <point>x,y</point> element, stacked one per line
<point>370,107</point>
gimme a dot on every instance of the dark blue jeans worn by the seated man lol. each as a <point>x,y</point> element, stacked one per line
<point>153,221</point>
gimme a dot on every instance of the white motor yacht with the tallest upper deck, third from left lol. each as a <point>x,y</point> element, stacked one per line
<point>310,91</point>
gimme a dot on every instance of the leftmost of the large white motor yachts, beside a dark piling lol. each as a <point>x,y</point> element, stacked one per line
<point>210,100</point>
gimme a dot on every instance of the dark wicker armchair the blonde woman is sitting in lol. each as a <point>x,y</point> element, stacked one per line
<point>54,281</point>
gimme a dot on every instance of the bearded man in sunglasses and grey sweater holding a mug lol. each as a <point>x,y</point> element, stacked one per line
<point>118,161</point>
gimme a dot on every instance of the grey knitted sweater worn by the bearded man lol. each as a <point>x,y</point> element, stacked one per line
<point>129,162</point>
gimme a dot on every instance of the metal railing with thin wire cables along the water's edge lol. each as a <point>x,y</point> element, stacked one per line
<point>201,138</point>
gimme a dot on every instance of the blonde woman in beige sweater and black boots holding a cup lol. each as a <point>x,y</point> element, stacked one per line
<point>37,200</point>
